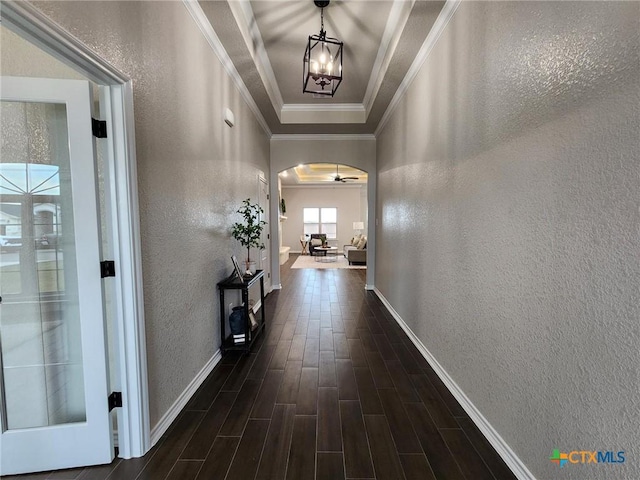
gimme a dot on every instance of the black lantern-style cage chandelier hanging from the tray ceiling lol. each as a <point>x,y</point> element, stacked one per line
<point>322,64</point>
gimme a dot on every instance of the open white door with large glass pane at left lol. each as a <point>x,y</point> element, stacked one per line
<point>53,375</point>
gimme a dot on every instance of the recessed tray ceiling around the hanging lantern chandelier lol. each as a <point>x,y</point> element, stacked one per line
<point>266,40</point>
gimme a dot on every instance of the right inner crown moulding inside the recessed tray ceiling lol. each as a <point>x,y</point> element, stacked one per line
<point>398,17</point>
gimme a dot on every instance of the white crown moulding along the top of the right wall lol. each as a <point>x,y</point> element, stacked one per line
<point>434,34</point>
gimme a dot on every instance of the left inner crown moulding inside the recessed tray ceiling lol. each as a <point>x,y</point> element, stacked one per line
<point>243,14</point>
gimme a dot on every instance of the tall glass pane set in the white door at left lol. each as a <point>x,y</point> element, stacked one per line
<point>40,324</point>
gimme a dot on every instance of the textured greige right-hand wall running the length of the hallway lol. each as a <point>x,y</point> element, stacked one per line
<point>508,183</point>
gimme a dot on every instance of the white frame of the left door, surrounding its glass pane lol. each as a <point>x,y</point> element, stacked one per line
<point>88,442</point>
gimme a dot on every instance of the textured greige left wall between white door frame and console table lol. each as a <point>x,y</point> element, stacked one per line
<point>193,172</point>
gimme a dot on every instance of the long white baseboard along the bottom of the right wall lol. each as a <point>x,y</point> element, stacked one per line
<point>516,465</point>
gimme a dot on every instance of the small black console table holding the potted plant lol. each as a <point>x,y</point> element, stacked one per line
<point>234,283</point>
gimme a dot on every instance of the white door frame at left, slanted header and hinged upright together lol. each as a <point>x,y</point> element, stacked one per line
<point>124,223</point>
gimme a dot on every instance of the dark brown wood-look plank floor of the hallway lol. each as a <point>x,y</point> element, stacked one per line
<point>333,390</point>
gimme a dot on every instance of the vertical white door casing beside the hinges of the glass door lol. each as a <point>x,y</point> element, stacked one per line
<point>134,439</point>
